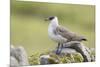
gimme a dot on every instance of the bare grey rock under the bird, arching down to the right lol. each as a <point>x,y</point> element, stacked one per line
<point>75,46</point>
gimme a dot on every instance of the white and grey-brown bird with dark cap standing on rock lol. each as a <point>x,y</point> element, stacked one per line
<point>61,34</point>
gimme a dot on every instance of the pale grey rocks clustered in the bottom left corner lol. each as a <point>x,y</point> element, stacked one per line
<point>19,54</point>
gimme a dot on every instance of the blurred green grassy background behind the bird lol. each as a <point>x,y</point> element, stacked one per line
<point>29,29</point>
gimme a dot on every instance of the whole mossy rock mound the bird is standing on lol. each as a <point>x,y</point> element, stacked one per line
<point>72,52</point>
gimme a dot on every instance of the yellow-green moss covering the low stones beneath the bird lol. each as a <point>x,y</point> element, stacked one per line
<point>57,59</point>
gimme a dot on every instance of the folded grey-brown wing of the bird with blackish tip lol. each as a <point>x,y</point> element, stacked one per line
<point>64,32</point>
